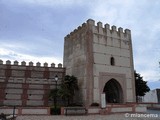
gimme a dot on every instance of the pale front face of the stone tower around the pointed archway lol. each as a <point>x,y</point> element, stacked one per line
<point>110,42</point>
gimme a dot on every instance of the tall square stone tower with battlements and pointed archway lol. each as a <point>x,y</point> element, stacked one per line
<point>102,60</point>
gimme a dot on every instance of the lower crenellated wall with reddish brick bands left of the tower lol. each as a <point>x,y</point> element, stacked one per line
<point>27,85</point>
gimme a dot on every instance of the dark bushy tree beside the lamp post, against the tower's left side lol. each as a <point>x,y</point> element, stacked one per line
<point>68,88</point>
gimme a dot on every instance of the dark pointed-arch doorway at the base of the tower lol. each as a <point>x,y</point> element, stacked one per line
<point>113,92</point>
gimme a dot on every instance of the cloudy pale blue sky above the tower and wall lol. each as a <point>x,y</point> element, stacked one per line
<point>34,30</point>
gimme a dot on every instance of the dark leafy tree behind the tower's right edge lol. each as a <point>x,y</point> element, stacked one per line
<point>141,85</point>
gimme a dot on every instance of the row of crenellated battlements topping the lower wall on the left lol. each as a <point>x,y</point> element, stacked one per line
<point>23,63</point>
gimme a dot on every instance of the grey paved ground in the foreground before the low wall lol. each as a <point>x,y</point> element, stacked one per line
<point>150,115</point>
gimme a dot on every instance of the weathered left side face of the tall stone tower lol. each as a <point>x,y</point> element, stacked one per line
<point>75,59</point>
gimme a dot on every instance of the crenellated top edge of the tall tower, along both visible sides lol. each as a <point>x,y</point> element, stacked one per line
<point>99,28</point>
